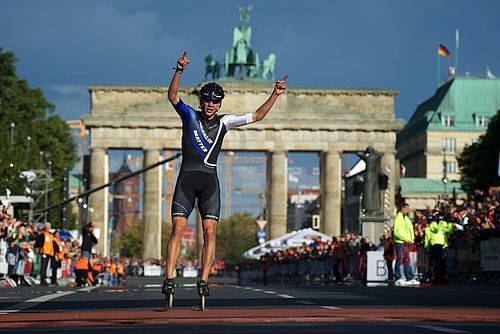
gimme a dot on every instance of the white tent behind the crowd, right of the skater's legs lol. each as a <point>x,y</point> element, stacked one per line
<point>292,239</point>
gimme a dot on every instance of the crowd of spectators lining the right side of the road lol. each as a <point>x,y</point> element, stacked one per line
<point>343,259</point>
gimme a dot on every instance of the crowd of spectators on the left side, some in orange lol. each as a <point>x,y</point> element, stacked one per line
<point>36,254</point>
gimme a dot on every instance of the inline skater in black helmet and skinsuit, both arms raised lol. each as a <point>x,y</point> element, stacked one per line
<point>202,135</point>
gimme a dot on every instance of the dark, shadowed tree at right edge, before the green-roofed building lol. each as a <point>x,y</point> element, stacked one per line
<point>479,162</point>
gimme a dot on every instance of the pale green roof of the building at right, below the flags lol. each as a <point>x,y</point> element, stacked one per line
<point>465,98</point>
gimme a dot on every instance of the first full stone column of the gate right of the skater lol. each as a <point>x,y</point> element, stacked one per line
<point>277,181</point>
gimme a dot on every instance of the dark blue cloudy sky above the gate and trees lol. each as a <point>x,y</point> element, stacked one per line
<point>65,46</point>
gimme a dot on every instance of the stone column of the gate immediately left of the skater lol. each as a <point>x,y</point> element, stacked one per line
<point>152,206</point>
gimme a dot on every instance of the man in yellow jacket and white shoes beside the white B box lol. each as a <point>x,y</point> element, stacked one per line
<point>403,236</point>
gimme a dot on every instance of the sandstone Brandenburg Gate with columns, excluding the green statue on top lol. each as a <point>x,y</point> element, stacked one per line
<point>326,121</point>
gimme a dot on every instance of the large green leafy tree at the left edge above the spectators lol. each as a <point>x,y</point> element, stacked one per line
<point>30,126</point>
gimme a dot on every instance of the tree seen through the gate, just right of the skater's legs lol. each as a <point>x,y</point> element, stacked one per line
<point>235,235</point>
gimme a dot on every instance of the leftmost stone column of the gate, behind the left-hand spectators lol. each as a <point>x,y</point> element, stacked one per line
<point>98,204</point>
